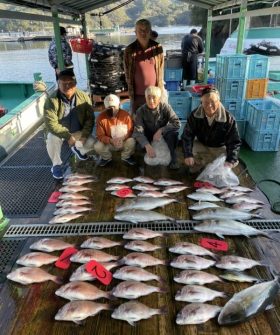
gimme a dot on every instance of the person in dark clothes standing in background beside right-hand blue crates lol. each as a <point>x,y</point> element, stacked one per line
<point>191,46</point>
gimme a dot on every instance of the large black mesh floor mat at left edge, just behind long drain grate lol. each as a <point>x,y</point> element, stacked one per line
<point>24,191</point>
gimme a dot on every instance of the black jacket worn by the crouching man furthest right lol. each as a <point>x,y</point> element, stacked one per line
<point>222,132</point>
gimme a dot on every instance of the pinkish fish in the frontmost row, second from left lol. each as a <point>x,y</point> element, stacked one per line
<point>134,311</point>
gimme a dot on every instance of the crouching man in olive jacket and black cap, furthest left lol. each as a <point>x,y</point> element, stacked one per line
<point>69,116</point>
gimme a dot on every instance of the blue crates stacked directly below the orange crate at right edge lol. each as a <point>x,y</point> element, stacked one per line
<point>263,123</point>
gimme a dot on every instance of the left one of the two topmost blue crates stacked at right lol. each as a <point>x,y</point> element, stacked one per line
<point>231,66</point>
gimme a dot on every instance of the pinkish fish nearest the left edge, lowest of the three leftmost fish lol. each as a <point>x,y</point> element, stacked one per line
<point>28,275</point>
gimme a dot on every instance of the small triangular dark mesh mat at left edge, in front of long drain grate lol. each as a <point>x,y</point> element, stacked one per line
<point>9,251</point>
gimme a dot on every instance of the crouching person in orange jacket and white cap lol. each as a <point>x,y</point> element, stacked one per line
<point>114,128</point>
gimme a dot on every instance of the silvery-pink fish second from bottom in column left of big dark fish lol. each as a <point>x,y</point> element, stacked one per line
<point>197,293</point>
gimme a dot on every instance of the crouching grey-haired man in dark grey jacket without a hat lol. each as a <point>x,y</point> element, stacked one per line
<point>154,120</point>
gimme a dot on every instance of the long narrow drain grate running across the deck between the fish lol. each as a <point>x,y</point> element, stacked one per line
<point>101,228</point>
